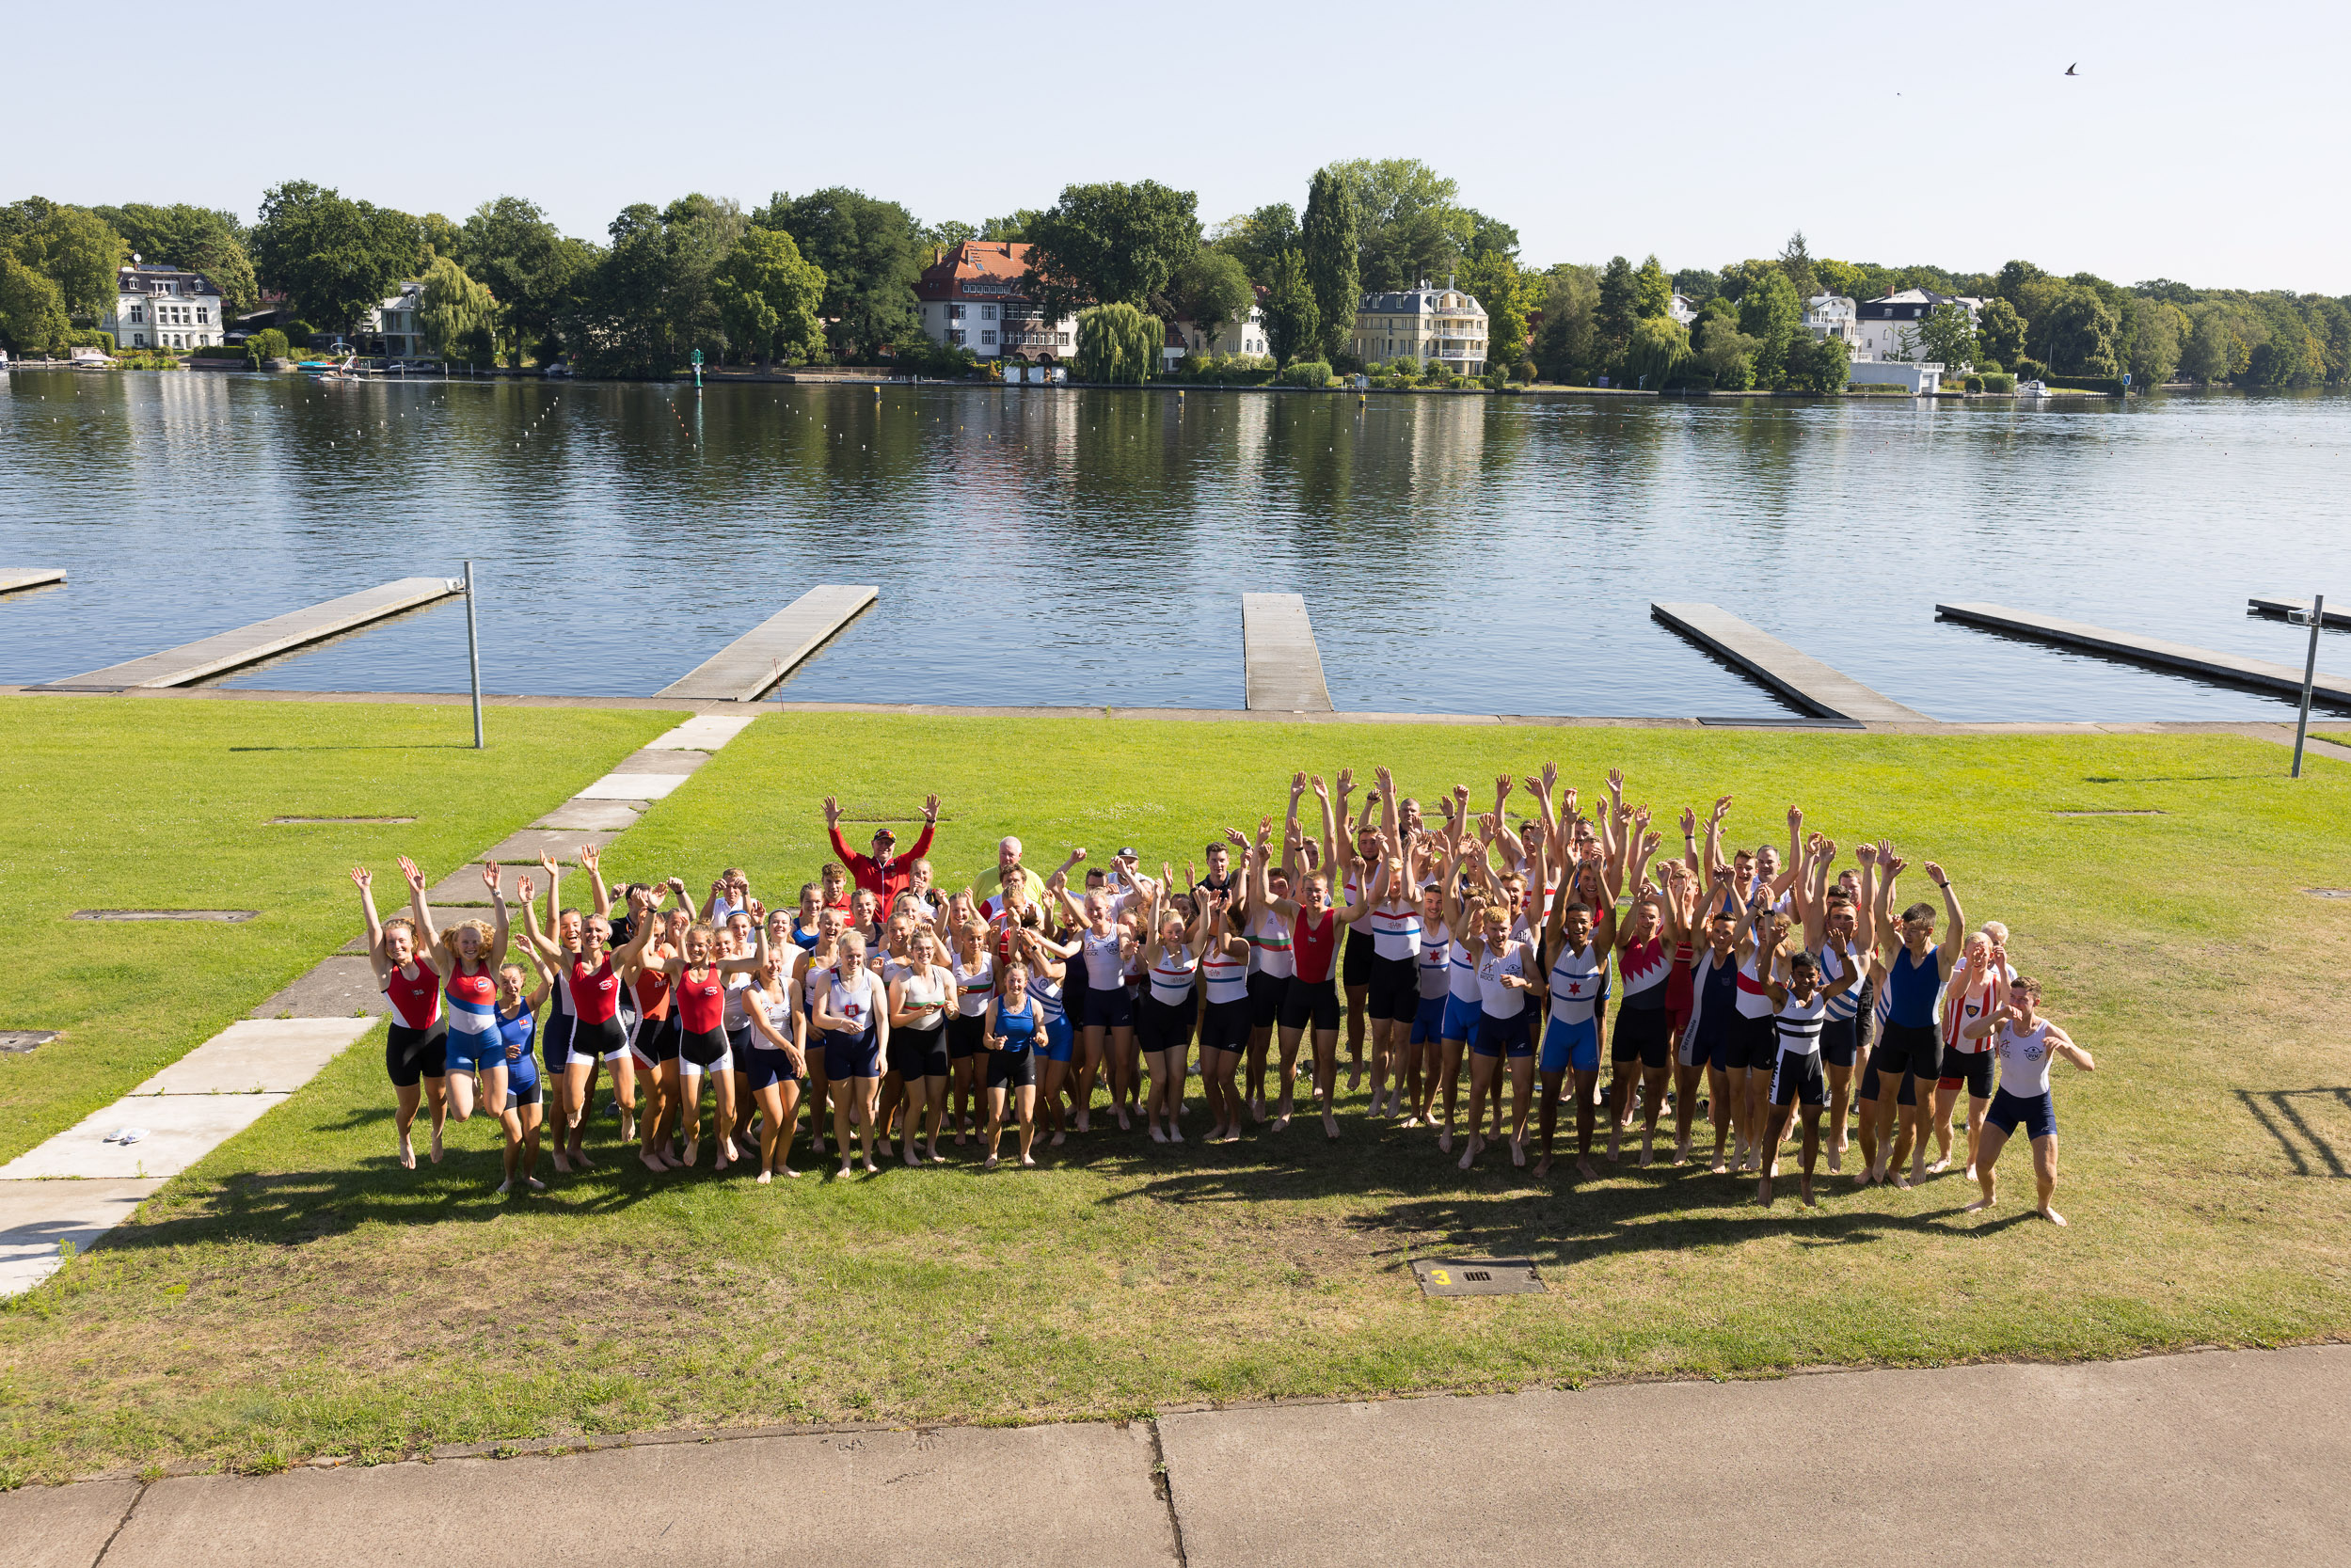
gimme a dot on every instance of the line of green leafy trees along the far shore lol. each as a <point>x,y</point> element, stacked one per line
<point>829,276</point>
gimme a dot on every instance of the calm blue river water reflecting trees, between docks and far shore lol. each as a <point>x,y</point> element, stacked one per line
<point>1033,547</point>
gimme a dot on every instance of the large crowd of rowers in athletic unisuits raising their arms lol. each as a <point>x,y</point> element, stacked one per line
<point>1468,960</point>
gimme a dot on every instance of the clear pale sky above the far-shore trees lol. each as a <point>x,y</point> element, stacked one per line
<point>2195,145</point>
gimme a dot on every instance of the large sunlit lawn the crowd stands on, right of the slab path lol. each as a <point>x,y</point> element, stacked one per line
<point>300,1294</point>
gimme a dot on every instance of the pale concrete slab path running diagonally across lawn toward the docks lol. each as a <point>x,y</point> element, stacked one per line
<point>81,1184</point>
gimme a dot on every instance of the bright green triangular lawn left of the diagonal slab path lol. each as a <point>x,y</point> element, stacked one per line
<point>166,805</point>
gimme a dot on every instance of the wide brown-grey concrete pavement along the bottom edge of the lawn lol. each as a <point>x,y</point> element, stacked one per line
<point>2211,1459</point>
